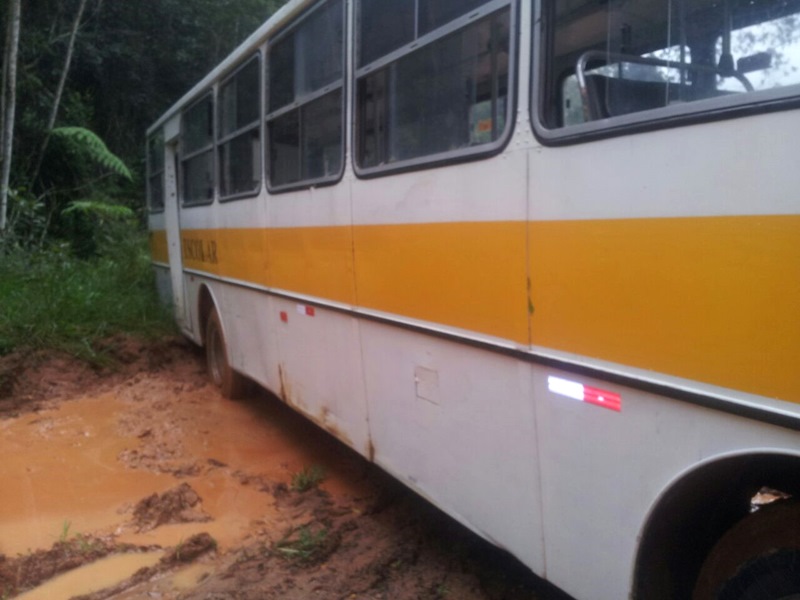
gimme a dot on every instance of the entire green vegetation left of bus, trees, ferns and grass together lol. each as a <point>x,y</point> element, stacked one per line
<point>82,81</point>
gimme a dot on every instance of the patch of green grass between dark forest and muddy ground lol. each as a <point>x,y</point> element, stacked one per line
<point>50,299</point>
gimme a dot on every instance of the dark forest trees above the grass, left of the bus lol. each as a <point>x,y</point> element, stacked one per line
<point>111,68</point>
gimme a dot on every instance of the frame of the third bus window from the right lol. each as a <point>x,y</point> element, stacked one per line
<point>300,102</point>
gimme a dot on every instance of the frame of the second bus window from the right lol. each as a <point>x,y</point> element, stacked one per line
<point>440,159</point>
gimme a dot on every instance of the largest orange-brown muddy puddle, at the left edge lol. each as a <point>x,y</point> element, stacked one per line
<point>61,474</point>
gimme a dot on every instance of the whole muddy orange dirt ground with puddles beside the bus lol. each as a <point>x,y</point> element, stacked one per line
<point>141,481</point>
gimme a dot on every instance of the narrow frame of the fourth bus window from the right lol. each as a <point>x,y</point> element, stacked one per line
<point>221,140</point>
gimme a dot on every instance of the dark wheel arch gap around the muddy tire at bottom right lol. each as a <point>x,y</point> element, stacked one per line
<point>696,510</point>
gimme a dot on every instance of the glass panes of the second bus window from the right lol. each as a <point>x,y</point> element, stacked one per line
<point>443,96</point>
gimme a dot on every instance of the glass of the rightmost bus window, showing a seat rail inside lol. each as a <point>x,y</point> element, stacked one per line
<point>624,57</point>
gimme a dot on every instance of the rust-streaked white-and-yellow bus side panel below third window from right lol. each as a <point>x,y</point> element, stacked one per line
<point>317,365</point>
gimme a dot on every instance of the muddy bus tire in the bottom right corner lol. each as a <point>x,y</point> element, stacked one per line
<point>757,559</point>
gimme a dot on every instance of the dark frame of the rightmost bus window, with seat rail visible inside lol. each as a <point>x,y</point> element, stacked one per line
<point>707,110</point>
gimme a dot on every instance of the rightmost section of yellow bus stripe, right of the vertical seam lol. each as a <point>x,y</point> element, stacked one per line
<point>712,299</point>
